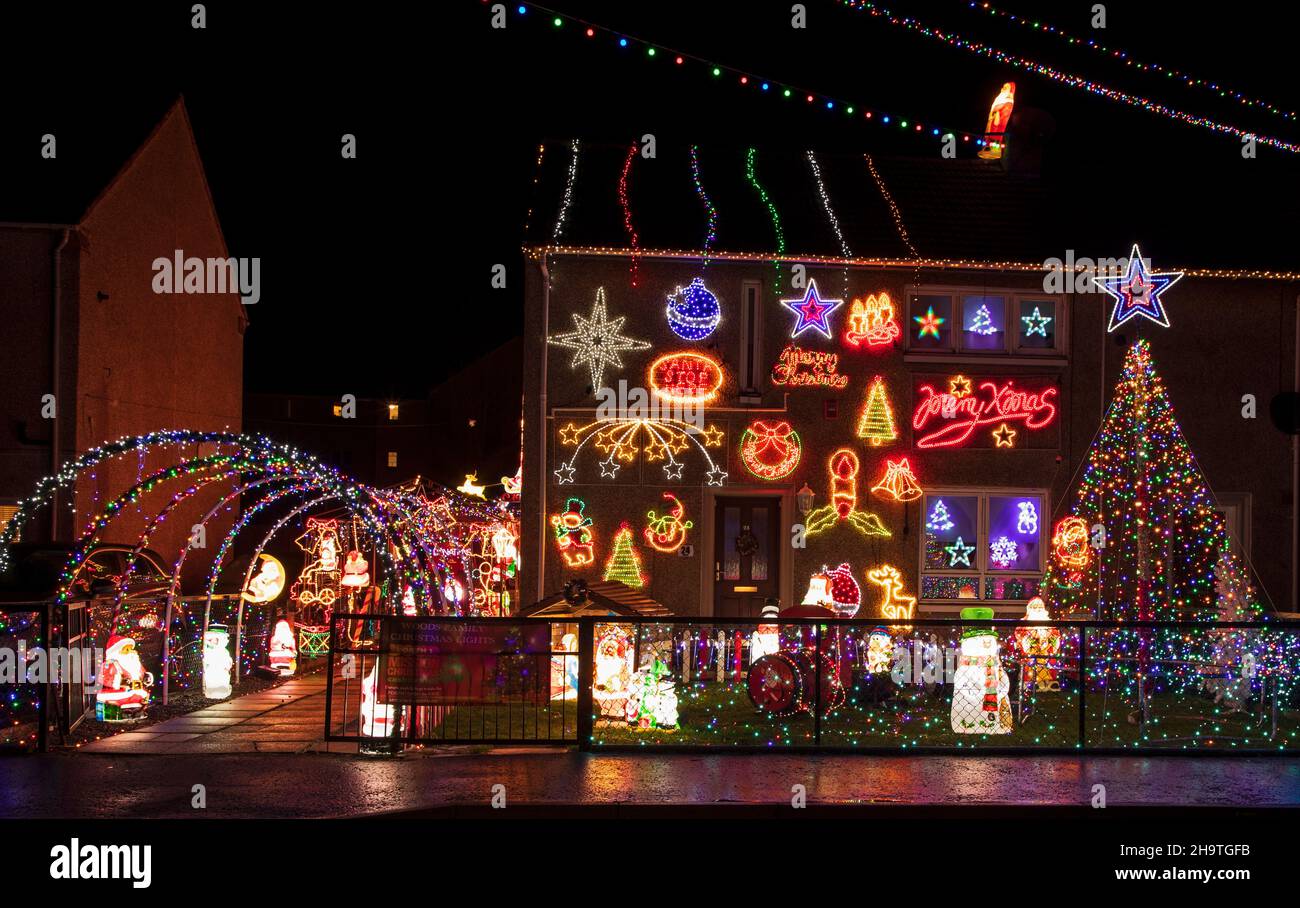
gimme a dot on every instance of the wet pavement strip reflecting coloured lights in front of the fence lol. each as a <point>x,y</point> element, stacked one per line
<point>428,784</point>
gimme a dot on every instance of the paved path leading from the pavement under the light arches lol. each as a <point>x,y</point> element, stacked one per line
<point>283,720</point>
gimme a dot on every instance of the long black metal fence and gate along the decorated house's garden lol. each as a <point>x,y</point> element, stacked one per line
<point>922,686</point>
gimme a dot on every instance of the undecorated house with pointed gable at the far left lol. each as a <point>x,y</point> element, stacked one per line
<point>93,353</point>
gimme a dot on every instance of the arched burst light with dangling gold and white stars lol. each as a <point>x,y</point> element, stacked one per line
<point>661,440</point>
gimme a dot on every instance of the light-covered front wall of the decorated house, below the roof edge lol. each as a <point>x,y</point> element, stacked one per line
<point>1038,412</point>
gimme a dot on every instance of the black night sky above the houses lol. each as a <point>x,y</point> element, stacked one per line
<point>375,271</point>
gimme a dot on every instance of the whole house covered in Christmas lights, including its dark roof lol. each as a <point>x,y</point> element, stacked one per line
<point>895,381</point>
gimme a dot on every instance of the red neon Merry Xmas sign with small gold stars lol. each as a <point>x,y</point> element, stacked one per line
<point>950,418</point>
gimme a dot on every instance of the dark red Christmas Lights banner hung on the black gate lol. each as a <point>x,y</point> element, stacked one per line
<point>430,663</point>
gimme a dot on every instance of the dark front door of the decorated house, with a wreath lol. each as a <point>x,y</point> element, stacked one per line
<point>747,559</point>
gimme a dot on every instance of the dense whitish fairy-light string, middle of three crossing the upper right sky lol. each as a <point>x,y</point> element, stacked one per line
<point>1071,80</point>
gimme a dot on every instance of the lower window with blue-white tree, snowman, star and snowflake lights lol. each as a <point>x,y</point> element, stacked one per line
<point>982,546</point>
